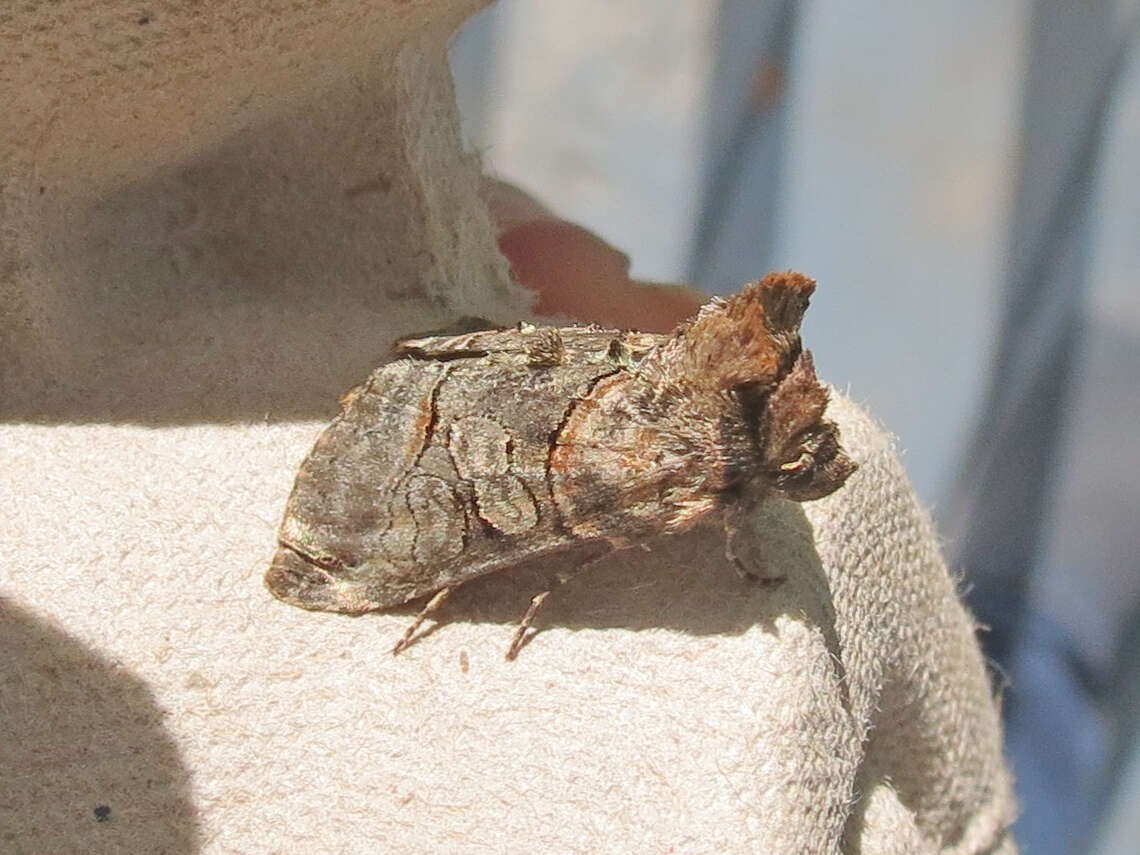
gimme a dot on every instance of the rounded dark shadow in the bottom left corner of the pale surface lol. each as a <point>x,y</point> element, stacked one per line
<point>86,763</point>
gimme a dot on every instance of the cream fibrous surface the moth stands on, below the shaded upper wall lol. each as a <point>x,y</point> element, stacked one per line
<point>666,704</point>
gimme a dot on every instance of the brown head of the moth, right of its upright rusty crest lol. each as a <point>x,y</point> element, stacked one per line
<point>801,454</point>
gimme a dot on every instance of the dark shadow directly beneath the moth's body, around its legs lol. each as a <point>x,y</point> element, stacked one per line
<point>678,582</point>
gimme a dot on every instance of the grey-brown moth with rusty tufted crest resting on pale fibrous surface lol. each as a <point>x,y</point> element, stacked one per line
<point>471,453</point>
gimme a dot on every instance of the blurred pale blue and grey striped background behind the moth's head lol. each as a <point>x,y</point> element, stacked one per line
<point>964,180</point>
